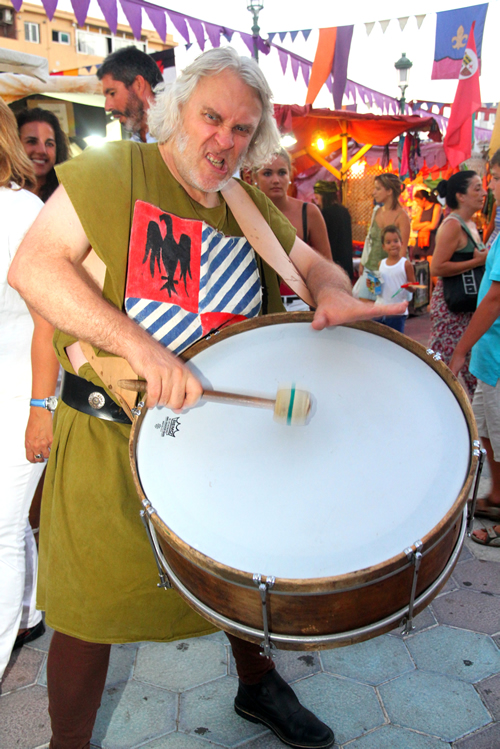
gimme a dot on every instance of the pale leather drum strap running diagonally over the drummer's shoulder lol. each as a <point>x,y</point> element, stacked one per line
<point>262,238</point>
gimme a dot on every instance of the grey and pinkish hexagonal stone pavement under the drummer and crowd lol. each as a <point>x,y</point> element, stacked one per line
<point>438,687</point>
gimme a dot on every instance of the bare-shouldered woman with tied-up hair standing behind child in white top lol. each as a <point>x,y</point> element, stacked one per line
<point>388,211</point>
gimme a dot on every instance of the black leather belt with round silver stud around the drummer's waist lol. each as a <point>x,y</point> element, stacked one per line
<point>90,399</point>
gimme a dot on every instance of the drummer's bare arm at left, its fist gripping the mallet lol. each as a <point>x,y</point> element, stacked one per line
<point>46,272</point>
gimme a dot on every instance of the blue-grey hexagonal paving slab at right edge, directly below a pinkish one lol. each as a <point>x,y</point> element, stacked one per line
<point>455,652</point>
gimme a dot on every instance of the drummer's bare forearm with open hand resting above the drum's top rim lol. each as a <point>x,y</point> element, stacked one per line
<point>331,289</point>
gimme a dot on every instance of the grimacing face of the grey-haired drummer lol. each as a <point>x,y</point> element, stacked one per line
<point>218,123</point>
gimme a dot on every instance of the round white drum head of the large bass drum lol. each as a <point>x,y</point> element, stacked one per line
<point>380,464</point>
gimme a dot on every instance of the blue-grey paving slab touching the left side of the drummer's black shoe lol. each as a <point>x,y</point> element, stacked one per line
<point>208,711</point>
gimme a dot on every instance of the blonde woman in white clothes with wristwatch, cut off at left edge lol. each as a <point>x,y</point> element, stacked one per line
<point>27,365</point>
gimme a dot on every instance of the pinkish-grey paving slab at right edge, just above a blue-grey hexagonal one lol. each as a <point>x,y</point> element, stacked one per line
<point>469,609</point>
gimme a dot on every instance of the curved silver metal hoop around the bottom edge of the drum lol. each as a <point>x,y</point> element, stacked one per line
<point>316,641</point>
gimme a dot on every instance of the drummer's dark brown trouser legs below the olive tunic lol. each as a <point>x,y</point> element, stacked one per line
<point>76,674</point>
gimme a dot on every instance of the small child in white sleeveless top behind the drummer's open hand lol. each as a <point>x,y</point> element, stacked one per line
<point>394,272</point>
